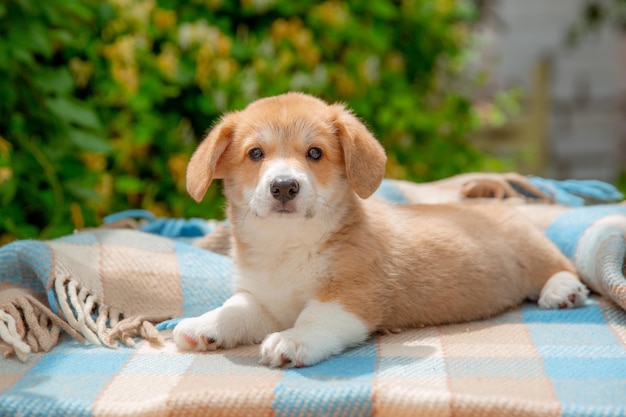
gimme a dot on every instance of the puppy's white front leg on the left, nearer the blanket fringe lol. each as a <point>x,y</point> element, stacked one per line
<point>242,320</point>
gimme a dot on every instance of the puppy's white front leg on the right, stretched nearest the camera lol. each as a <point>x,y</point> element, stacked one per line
<point>322,329</point>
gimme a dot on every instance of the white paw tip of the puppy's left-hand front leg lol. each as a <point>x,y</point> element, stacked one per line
<point>198,333</point>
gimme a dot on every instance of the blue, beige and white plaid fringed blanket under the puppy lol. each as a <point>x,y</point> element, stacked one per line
<point>106,286</point>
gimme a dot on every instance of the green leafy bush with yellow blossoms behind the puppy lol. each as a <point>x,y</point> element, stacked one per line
<point>103,102</point>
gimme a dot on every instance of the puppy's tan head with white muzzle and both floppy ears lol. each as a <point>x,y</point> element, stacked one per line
<point>288,155</point>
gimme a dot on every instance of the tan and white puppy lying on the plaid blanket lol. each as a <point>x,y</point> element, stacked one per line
<point>319,266</point>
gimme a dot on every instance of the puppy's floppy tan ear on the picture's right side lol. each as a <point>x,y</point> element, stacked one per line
<point>364,156</point>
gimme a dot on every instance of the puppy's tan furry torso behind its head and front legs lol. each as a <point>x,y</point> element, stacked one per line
<point>437,264</point>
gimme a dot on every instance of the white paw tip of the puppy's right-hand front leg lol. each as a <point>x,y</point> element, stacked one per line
<point>289,348</point>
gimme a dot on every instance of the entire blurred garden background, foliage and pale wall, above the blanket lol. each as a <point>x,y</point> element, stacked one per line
<point>102,102</point>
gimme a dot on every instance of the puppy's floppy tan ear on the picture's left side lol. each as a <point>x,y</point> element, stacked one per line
<point>204,164</point>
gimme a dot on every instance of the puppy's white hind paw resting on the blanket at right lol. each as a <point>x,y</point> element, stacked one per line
<point>563,290</point>
